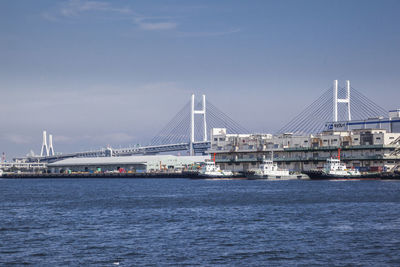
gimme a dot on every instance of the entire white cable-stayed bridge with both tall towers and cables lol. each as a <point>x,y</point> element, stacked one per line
<point>188,129</point>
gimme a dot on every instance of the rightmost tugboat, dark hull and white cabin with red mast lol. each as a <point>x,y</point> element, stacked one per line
<point>334,169</point>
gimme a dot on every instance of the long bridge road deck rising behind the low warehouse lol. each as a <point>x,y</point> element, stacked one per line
<point>199,147</point>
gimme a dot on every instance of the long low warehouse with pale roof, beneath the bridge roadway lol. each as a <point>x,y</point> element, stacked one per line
<point>127,163</point>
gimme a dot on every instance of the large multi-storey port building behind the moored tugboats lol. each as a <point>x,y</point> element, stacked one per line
<point>369,145</point>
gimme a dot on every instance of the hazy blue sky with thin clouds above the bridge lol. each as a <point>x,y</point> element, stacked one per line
<point>94,73</point>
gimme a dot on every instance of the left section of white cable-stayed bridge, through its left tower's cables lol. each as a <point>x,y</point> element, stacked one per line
<point>186,131</point>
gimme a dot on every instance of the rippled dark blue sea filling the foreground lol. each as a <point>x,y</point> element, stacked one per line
<point>147,222</point>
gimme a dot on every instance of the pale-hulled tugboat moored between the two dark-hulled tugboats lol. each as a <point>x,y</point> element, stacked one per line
<point>269,170</point>
